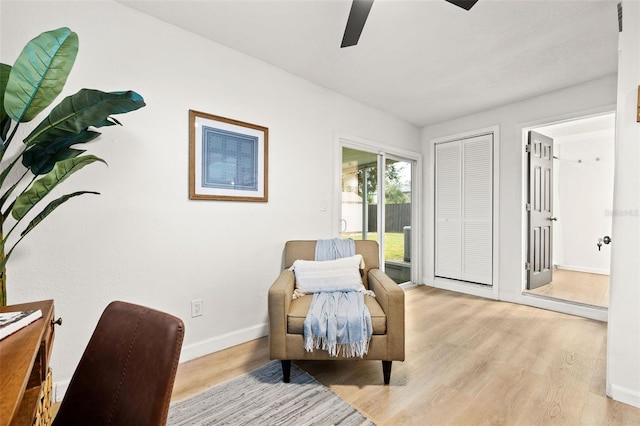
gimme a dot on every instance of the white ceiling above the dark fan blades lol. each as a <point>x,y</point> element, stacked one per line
<point>423,61</point>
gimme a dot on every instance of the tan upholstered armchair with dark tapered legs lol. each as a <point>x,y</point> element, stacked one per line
<point>286,316</point>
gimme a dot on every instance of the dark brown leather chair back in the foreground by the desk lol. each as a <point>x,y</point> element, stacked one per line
<point>126,374</point>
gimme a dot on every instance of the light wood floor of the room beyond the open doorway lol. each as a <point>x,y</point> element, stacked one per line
<point>581,287</point>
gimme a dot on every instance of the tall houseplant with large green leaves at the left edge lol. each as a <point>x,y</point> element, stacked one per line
<point>49,154</point>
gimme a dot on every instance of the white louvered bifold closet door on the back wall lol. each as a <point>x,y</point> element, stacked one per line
<point>464,210</point>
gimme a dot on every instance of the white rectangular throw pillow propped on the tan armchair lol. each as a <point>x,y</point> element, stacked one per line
<point>328,275</point>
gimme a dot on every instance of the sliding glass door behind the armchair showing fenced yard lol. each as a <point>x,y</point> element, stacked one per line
<point>377,204</point>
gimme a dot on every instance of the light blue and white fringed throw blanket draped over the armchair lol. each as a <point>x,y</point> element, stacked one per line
<point>338,321</point>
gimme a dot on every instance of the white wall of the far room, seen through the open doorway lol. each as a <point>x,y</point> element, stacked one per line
<point>584,178</point>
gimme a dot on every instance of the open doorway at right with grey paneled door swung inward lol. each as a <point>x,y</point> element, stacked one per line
<point>580,215</point>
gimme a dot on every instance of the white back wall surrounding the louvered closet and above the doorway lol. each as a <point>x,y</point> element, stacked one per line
<point>577,101</point>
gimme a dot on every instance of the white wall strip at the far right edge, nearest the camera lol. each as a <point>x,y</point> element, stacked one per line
<point>623,340</point>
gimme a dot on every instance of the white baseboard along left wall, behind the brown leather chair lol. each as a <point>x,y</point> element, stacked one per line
<point>194,350</point>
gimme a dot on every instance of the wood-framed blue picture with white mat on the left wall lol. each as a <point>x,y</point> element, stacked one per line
<point>227,159</point>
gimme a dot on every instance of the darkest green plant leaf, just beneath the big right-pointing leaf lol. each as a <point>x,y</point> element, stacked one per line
<point>41,158</point>
